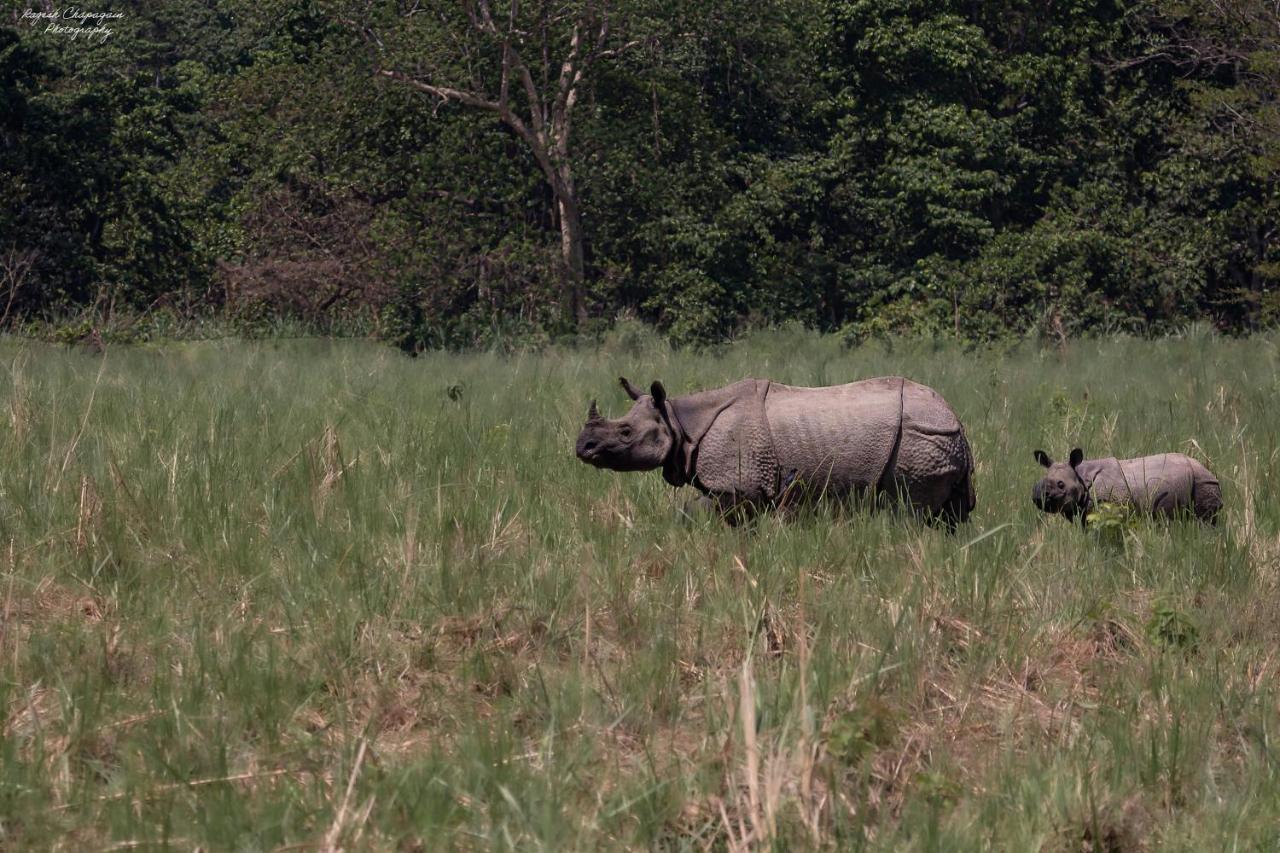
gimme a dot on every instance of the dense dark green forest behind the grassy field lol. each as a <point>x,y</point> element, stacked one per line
<point>455,175</point>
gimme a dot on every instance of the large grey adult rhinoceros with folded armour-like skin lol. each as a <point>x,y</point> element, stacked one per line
<point>752,444</point>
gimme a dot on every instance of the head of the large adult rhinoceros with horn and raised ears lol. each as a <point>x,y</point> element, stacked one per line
<point>639,441</point>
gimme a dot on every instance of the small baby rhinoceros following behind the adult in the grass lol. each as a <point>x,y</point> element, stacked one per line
<point>1164,485</point>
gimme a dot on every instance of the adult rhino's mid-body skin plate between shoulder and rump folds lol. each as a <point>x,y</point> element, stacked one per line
<point>840,436</point>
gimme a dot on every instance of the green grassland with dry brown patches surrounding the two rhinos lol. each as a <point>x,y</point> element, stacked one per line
<point>321,595</point>
